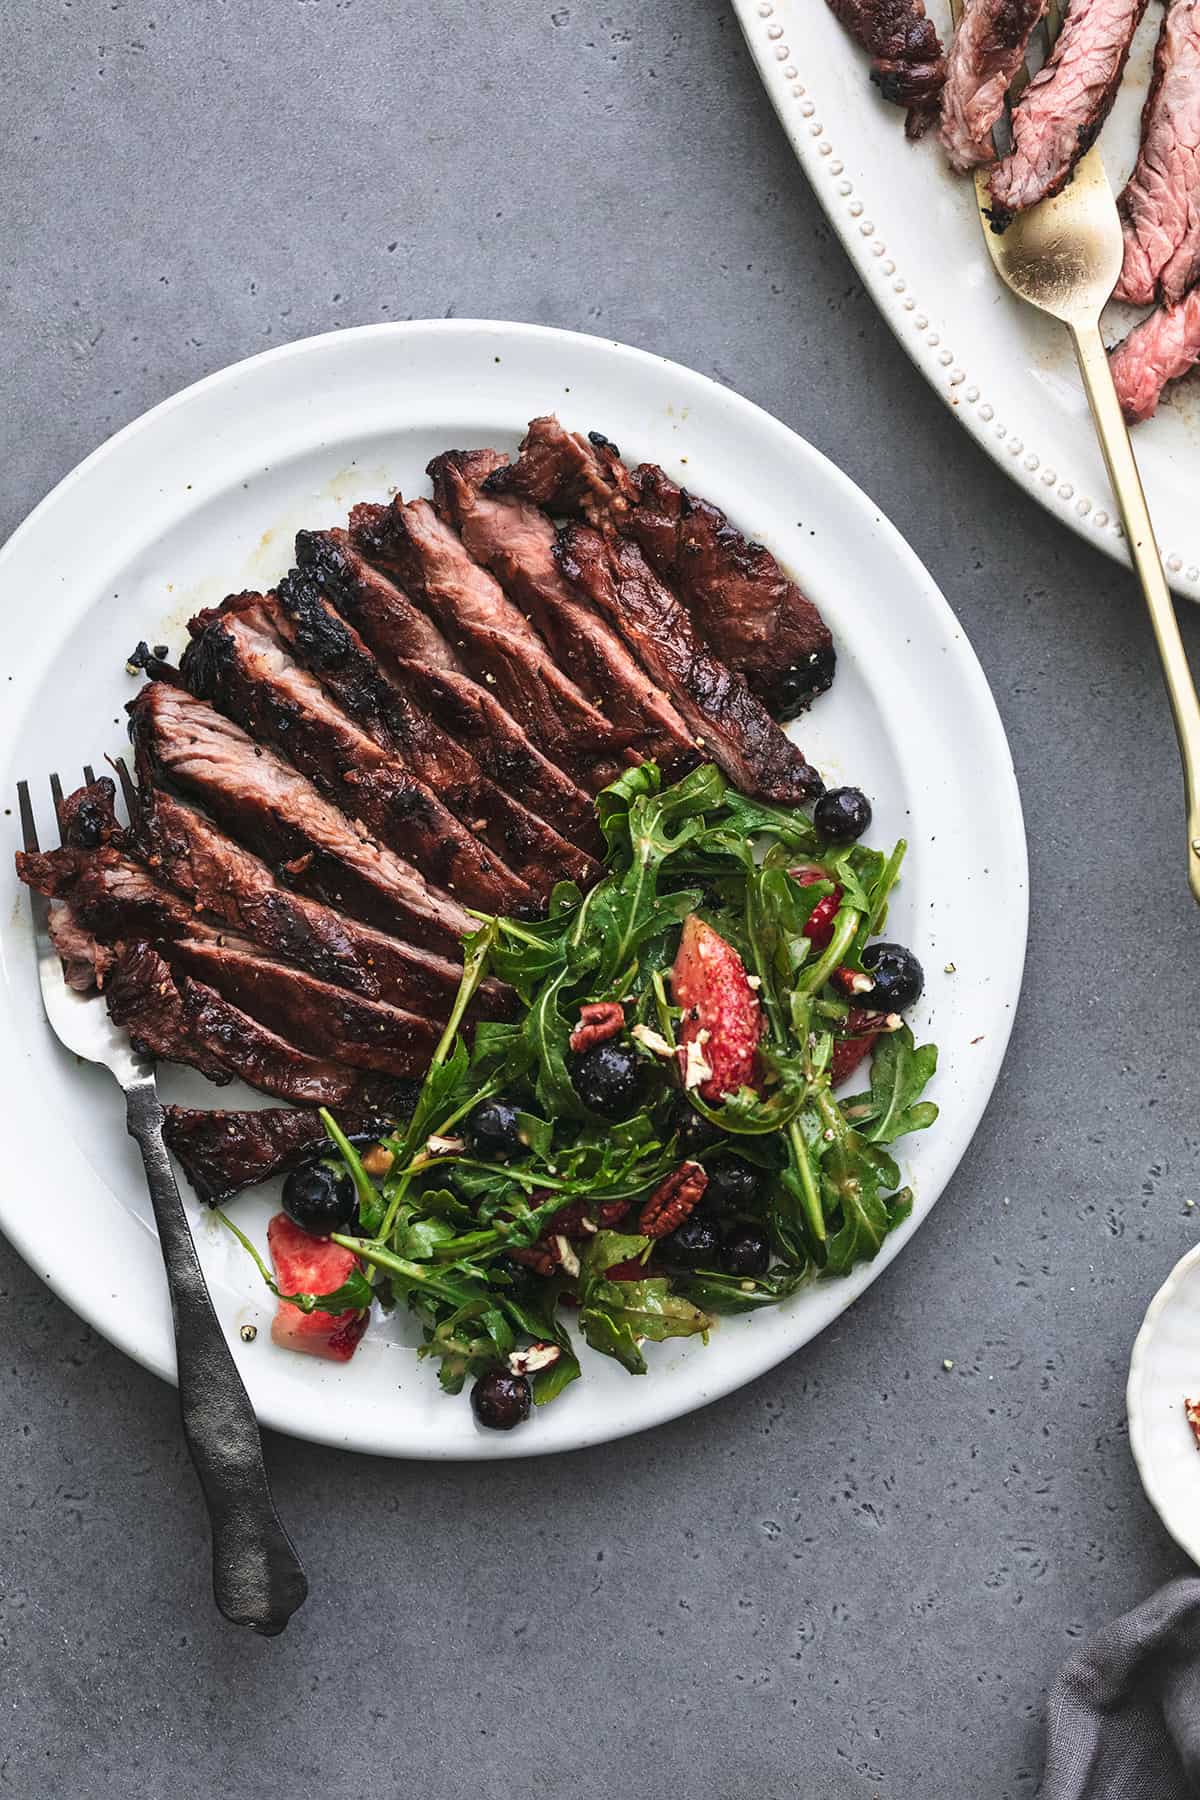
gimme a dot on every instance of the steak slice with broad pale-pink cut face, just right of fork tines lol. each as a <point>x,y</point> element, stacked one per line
<point>264,802</point>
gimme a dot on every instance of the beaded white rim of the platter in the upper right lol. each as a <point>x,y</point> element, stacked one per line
<point>945,372</point>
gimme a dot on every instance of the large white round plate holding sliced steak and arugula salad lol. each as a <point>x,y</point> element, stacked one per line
<point>202,498</point>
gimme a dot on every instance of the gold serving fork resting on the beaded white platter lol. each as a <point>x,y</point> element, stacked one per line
<point>1064,256</point>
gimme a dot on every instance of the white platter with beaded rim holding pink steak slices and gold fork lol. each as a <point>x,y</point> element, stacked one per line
<point>911,228</point>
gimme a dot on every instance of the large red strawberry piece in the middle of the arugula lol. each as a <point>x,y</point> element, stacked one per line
<point>722,1012</point>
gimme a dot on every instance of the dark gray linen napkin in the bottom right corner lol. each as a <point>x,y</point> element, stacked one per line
<point>1124,1718</point>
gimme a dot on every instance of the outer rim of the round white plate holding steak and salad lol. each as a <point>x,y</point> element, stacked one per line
<point>969,672</point>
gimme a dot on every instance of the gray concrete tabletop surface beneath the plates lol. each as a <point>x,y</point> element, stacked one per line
<point>855,1578</point>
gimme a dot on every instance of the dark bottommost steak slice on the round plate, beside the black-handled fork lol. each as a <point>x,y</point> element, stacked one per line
<point>224,1153</point>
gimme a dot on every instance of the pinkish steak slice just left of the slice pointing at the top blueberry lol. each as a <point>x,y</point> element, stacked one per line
<point>515,541</point>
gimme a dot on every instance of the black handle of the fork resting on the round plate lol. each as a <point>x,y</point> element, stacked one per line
<point>256,1574</point>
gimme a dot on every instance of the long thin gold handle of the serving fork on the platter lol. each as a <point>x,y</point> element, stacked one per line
<point>1127,485</point>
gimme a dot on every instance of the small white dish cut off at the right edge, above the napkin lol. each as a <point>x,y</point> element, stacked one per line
<point>1165,1371</point>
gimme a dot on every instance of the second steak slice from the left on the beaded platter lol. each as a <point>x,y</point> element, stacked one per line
<point>989,49</point>
